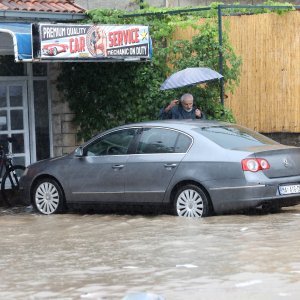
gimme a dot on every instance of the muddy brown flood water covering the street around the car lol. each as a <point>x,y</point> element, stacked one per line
<point>141,257</point>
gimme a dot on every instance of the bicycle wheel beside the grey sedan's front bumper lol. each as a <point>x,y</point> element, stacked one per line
<point>10,185</point>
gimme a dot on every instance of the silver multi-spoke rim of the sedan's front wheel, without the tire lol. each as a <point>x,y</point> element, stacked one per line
<point>47,198</point>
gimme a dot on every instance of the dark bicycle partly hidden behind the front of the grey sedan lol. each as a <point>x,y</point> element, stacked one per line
<point>10,175</point>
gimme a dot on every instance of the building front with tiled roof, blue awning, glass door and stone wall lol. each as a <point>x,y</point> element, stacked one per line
<point>32,112</point>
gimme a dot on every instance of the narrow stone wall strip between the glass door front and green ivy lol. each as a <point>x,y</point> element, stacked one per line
<point>64,131</point>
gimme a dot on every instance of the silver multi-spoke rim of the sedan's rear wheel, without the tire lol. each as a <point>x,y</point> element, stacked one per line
<point>189,204</point>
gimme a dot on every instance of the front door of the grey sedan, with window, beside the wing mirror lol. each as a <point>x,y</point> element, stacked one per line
<point>99,174</point>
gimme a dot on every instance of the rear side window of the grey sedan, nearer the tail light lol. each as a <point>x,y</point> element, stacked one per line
<point>160,140</point>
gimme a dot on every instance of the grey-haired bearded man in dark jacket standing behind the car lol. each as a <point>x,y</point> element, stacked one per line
<point>183,109</point>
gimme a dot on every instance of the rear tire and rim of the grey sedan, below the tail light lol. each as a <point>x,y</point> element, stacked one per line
<point>191,201</point>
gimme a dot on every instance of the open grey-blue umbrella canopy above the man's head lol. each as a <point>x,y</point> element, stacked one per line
<point>190,76</point>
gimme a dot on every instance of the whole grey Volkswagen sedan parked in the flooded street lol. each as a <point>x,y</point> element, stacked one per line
<point>196,168</point>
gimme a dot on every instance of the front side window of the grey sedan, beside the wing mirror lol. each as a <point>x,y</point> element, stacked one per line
<point>115,143</point>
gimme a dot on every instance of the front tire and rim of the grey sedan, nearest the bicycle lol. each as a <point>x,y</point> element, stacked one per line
<point>48,197</point>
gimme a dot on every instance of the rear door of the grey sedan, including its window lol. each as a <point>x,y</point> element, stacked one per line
<point>150,170</point>
